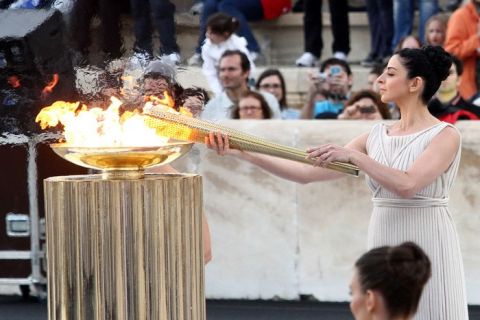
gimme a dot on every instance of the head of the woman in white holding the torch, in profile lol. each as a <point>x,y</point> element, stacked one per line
<point>414,74</point>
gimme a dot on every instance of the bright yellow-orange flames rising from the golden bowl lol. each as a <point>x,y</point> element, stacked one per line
<point>97,127</point>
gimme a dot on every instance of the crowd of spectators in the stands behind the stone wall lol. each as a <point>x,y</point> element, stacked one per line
<point>224,27</point>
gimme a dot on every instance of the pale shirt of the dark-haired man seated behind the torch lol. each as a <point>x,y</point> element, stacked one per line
<point>221,107</point>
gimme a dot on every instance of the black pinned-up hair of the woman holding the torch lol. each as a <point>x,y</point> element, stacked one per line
<point>431,63</point>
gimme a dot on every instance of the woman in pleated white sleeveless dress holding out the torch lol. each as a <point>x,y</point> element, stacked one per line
<point>409,166</point>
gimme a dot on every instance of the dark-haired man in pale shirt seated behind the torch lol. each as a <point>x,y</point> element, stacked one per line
<point>234,71</point>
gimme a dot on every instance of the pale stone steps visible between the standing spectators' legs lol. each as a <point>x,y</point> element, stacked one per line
<point>281,41</point>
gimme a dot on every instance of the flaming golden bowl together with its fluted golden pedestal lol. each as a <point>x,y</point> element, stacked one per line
<point>122,244</point>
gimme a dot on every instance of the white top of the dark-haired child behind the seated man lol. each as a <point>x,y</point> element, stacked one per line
<point>211,54</point>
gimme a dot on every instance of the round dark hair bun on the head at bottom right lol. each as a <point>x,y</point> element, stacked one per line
<point>409,263</point>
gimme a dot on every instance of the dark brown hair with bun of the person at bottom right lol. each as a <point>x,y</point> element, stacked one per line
<point>399,273</point>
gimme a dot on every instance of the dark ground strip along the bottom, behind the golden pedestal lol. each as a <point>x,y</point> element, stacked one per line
<point>12,307</point>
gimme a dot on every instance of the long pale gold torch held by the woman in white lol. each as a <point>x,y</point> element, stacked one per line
<point>239,140</point>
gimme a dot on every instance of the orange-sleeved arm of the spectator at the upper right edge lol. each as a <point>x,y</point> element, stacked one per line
<point>458,41</point>
